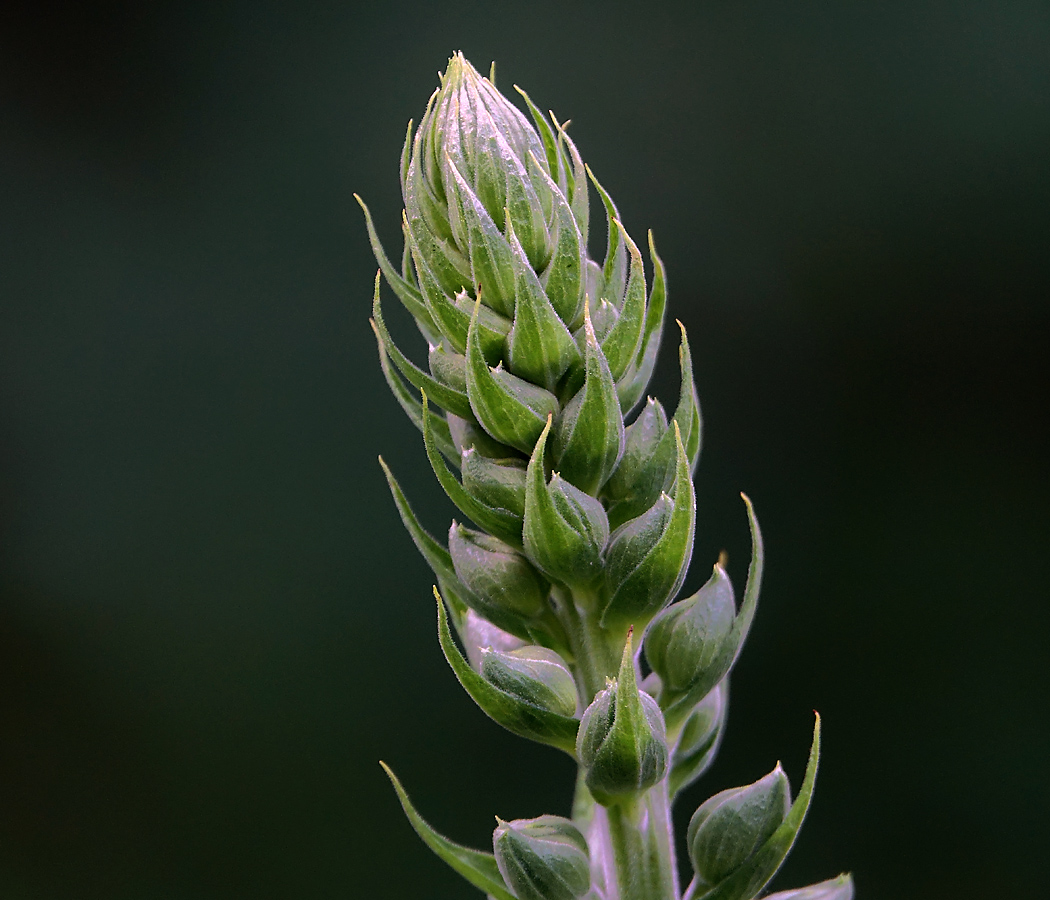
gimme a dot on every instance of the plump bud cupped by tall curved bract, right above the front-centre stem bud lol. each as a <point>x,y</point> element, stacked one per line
<point>687,638</point>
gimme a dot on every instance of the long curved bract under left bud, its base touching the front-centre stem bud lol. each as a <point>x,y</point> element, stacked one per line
<point>507,709</point>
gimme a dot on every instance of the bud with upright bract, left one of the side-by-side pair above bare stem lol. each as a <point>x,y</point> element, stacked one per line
<point>565,531</point>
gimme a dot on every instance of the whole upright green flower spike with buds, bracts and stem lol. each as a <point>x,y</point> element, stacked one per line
<point>583,514</point>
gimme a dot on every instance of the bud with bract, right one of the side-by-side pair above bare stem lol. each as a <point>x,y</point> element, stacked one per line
<point>648,557</point>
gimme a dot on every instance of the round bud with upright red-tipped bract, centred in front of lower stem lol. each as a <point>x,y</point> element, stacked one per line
<point>622,744</point>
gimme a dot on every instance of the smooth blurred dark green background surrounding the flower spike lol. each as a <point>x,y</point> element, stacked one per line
<point>213,624</point>
